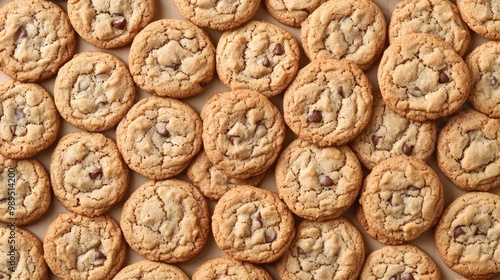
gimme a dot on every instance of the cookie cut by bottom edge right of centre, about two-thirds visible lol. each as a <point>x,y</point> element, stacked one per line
<point>331,249</point>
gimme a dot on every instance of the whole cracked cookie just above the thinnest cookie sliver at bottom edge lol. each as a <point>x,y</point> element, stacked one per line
<point>166,221</point>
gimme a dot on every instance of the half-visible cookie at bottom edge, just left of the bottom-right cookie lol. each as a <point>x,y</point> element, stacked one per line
<point>403,262</point>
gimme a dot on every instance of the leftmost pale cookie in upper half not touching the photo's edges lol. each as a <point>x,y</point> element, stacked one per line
<point>93,91</point>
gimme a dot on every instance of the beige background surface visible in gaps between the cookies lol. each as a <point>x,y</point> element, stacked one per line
<point>166,9</point>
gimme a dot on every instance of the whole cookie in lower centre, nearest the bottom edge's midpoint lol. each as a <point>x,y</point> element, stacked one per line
<point>252,224</point>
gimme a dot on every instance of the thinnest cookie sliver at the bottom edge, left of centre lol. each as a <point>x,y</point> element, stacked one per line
<point>149,270</point>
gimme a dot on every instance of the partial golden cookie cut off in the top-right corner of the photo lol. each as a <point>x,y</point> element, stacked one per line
<point>483,17</point>
